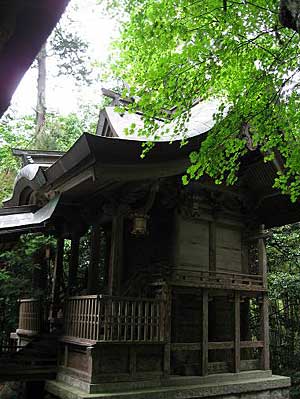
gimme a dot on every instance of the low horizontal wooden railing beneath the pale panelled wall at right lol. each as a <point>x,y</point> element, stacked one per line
<point>215,279</point>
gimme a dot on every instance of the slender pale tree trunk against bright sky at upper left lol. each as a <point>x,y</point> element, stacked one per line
<point>41,90</point>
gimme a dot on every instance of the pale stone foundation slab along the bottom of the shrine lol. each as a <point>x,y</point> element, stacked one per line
<point>245,385</point>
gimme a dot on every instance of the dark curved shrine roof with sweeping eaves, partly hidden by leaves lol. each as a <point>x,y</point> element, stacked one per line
<point>99,166</point>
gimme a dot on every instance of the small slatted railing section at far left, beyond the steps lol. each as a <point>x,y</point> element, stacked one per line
<point>30,315</point>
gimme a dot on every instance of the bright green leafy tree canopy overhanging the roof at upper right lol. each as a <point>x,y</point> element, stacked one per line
<point>173,52</point>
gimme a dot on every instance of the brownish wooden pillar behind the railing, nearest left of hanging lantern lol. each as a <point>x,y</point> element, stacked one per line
<point>116,255</point>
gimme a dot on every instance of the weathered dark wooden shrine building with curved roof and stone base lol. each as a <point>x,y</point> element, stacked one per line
<point>179,308</point>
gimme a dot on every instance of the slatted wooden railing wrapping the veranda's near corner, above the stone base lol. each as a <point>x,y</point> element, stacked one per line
<point>114,319</point>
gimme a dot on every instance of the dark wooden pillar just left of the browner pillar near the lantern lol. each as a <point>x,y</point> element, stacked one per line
<point>93,271</point>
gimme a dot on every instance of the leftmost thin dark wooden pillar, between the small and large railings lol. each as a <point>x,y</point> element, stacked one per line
<point>57,277</point>
